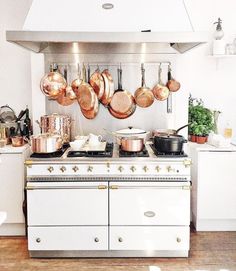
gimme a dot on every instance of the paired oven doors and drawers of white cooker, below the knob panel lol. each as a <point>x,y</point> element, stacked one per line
<point>108,219</point>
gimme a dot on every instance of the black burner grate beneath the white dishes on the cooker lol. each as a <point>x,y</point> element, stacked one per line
<point>106,153</point>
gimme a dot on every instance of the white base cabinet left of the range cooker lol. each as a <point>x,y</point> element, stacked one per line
<point>12,189</point>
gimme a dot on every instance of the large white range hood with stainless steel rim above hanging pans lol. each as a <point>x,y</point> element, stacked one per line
<point>108,31</point>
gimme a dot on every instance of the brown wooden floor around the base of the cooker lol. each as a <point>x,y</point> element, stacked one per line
<point>210,251</point>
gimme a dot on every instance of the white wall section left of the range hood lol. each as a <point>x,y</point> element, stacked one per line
<point>15,81</point>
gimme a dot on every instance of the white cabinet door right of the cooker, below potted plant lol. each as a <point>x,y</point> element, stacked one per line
<point>216,189</point>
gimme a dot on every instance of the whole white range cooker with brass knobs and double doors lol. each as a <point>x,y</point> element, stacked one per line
<point>95,204</point>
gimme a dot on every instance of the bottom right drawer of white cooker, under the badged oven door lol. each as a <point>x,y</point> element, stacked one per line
<point>149,238</point>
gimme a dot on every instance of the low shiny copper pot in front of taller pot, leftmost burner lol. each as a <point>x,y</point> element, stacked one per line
<point>45,143</point>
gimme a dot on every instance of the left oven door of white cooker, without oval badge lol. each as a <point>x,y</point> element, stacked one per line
<point>67,203</point>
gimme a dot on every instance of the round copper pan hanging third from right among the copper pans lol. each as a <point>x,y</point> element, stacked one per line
<point>143,95</point>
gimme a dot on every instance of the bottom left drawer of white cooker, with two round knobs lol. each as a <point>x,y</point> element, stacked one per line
<point>68,238</point>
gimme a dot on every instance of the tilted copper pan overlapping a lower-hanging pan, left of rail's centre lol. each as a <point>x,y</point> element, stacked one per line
<point>85,95</point>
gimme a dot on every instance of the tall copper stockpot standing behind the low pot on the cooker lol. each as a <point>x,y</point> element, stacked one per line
<point>57,124</point>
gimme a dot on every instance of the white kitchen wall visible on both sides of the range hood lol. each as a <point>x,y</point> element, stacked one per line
<point>198,73</point>
